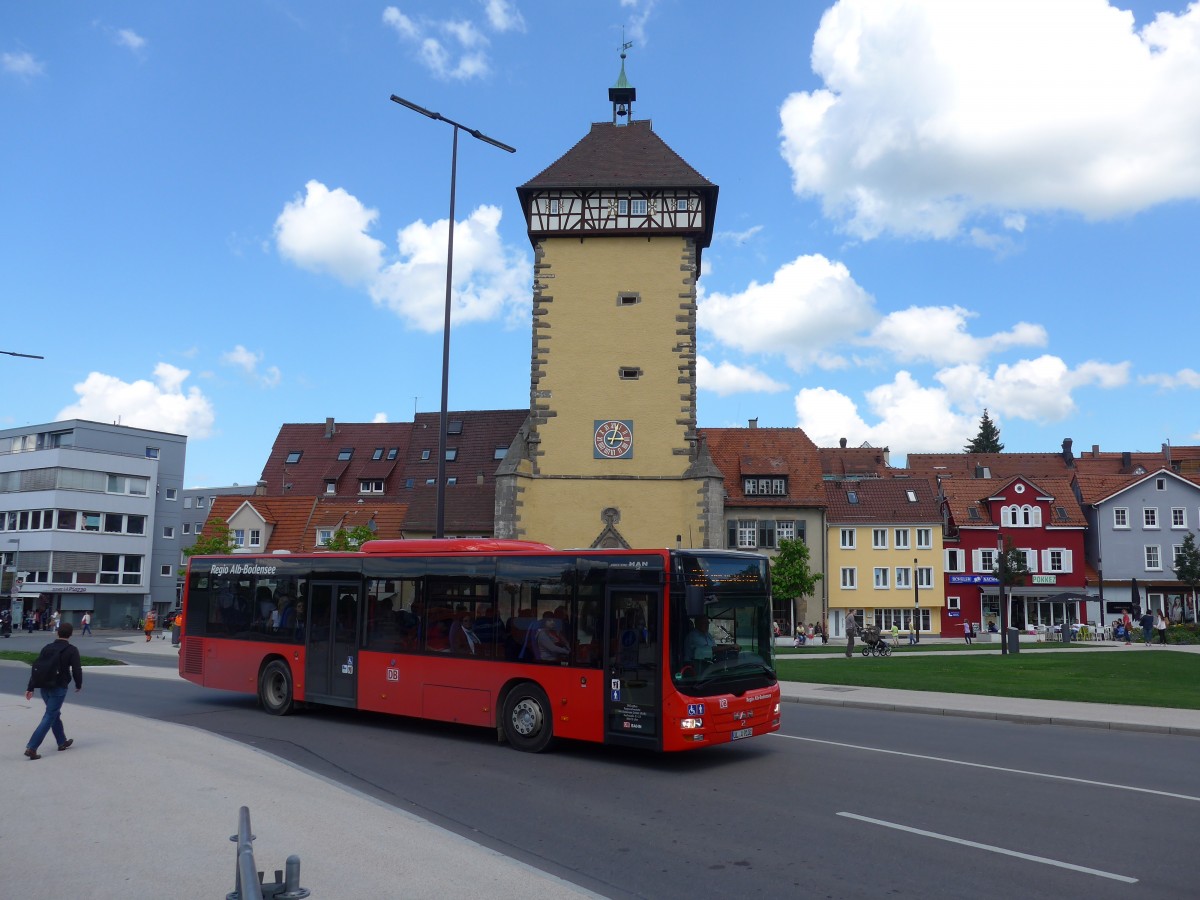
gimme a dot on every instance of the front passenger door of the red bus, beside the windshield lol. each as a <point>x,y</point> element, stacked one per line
<point>633,663</point>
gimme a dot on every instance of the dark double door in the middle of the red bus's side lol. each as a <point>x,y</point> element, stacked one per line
<point>333,657</point>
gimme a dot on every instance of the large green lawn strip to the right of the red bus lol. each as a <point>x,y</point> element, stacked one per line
<point>1151,679</point>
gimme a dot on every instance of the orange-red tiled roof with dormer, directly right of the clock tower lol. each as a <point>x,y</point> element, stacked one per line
<point>743,453</point>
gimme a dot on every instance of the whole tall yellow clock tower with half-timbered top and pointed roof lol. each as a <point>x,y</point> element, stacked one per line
<point>610,454</point>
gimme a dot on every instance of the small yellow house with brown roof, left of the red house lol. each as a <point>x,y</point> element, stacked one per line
<point>884,548</point>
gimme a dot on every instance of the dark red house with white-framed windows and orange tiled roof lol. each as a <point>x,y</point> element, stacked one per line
<point>1040,518</point>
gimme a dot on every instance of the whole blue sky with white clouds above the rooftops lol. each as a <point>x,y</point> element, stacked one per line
<point>214,220</point>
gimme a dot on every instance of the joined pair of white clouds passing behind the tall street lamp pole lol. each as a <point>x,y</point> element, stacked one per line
<point>327,232</point>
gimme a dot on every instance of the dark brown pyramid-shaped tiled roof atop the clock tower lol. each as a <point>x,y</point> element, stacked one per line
<point>619,157</point>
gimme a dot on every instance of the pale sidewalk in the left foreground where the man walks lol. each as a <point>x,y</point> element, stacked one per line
<point>145,809</point>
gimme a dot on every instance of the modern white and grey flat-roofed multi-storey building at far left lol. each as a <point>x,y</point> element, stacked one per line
<point>91,520</point>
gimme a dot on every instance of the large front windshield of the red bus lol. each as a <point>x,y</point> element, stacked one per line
<point>722,634</point>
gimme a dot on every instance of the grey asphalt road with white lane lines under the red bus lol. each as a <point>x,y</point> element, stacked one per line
<point>843,803</point>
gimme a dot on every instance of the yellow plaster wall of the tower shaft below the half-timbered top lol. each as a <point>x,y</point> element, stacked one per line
<point>591,337</point>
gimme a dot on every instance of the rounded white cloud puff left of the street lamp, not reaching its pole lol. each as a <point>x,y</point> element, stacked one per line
<point>326,231</point>
